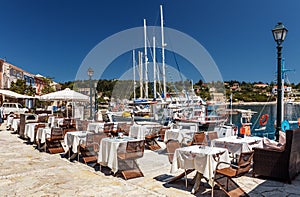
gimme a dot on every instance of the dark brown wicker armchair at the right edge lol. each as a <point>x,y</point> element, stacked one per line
<point>282,165</point>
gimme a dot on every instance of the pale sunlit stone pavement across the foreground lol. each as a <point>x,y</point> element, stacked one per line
<point>25,171</point>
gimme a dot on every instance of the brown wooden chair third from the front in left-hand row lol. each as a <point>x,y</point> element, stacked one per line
<point>53,144</point>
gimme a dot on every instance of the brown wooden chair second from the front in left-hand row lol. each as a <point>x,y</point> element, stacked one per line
<point>89,150</point>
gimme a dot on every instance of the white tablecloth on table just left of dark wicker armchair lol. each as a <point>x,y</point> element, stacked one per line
<point>237,145</point>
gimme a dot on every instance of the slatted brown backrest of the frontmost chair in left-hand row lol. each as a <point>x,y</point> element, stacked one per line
<point>135,149</point>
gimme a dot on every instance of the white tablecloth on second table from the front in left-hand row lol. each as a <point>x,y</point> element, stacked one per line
<point>74,139</point>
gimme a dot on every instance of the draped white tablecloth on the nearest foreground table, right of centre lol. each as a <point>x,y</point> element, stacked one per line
<point>200,159</point>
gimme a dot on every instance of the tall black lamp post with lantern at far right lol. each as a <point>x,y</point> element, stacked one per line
<point>279,33</point>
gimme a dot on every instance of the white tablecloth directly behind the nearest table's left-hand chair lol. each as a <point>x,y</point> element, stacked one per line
<point>184,136</point>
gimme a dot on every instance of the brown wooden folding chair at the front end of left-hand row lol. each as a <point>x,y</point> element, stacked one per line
<point>134,150</point>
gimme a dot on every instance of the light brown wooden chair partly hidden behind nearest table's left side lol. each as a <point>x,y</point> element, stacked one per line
<point>171,146</point>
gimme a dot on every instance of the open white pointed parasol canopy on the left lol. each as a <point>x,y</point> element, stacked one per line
<point>65,95</point>
